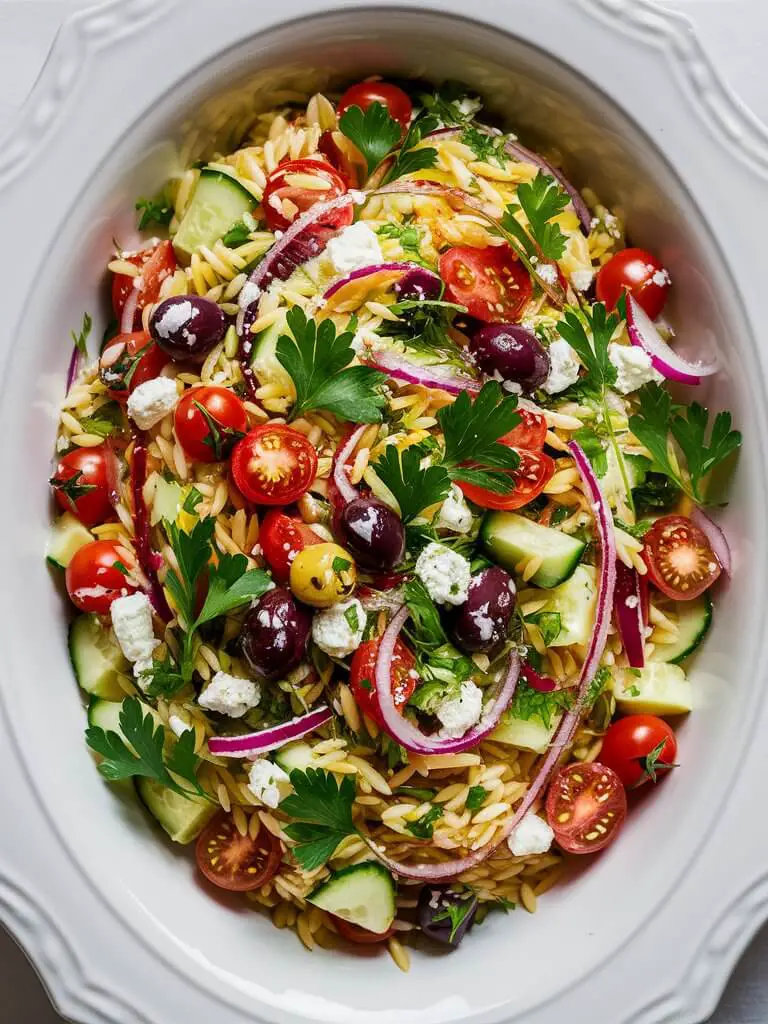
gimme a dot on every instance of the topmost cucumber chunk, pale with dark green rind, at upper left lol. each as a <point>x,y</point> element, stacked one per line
<point>219,202</point>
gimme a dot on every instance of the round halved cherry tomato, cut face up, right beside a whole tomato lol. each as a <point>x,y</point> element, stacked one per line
<point>274,465</point>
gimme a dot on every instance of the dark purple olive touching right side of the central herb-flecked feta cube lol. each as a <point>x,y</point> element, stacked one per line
<point>483,621</point>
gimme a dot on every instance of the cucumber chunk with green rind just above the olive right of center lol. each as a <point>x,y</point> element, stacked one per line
<point>510,538</point>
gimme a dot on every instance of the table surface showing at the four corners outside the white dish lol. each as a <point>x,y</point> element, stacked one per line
<point>733,31</point>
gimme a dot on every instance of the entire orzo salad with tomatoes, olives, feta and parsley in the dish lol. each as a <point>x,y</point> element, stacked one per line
<point>386,537</point>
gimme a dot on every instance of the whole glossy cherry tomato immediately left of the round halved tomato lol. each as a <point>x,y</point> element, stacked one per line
<point>209,421</point>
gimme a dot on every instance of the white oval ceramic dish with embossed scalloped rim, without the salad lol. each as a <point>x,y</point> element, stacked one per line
<point>112,916</point>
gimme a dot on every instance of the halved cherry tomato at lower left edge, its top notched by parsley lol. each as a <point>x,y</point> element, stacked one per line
<point>234,862</point>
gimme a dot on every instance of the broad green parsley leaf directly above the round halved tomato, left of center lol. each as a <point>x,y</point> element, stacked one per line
<point>318,360</point>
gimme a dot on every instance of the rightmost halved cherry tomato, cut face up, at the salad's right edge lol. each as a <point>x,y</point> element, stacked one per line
<point>679,558</point>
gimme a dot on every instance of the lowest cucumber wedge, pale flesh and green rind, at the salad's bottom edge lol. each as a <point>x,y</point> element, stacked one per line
<point>363,894</point>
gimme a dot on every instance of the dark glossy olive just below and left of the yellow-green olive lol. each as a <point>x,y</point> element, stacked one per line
<point>275,634</point>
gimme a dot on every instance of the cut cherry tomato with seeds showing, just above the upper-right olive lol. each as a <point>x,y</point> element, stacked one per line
<point>492,283</point>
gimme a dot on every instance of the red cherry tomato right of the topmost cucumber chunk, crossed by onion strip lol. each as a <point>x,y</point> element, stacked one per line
<point>286,198</point>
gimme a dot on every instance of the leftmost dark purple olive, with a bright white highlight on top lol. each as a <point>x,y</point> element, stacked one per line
<point>188,327</point>
